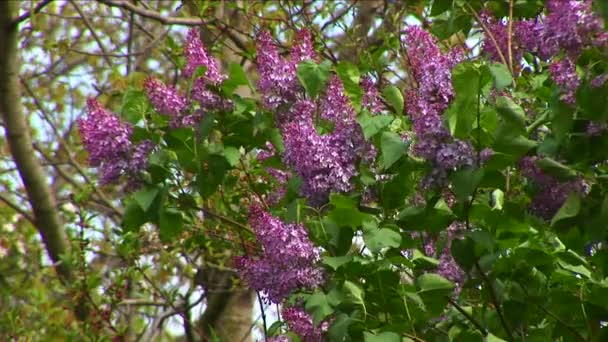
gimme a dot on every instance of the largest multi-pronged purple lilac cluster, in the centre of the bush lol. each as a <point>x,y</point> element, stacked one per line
<point>324,162</point>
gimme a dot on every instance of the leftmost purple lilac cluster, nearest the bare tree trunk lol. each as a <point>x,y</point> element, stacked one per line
<point>107,140</point>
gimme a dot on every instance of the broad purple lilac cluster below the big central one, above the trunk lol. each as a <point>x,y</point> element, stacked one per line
<point>288,259</point>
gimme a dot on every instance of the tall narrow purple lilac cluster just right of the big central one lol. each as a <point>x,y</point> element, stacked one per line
<point>432,70</point>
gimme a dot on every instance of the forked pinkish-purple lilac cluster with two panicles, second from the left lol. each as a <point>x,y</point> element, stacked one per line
<point>169,101</point>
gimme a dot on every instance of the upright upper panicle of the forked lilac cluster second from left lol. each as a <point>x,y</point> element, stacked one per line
<point>197,56</point>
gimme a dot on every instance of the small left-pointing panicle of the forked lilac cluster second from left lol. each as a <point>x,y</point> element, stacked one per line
<point>165,99</point>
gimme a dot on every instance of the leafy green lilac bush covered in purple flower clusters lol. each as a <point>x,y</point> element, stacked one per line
<point>463,198</point>
